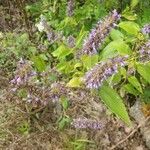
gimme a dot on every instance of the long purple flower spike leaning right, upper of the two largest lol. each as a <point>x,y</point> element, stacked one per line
<point>97,35</point>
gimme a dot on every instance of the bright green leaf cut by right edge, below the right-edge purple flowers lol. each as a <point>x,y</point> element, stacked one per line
<point>144,71</point>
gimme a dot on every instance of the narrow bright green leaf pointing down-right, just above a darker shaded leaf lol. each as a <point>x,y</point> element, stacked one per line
<point>134,81</point>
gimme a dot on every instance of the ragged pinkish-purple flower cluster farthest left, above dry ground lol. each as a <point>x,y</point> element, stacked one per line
<point>23,73</point>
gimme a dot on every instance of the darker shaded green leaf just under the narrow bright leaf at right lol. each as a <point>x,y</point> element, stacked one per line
<point>130,89</point>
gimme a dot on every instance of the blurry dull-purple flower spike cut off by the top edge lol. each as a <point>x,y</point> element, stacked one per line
<point>70,7</point>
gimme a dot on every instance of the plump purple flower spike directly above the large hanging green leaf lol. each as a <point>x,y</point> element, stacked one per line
<point>101,71</point>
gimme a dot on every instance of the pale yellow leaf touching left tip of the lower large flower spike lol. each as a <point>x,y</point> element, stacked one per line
<point>74,82</point>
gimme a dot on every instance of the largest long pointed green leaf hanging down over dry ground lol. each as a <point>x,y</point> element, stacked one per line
<point>114,102</point>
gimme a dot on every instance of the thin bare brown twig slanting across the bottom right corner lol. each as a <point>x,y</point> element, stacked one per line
<point>134,131</point>
